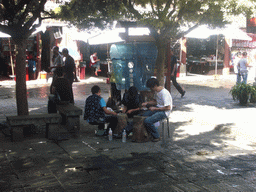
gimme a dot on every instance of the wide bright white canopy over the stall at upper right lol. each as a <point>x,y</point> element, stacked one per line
<point>230,32</point>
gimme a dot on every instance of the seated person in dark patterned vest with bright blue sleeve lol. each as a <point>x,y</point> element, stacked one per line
<point>95,111</point>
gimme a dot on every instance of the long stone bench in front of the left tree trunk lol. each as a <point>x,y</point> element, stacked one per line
<point>18,123</point>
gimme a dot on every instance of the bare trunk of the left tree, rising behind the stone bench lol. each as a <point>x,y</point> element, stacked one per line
<point>21,89</point>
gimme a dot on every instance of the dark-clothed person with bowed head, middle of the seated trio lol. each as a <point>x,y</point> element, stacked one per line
<point>132,101</point>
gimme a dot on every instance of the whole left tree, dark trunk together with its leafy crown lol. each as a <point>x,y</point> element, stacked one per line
<point>19,19</point>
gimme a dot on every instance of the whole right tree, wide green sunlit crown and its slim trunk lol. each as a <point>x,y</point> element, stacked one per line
<point>167,20</point>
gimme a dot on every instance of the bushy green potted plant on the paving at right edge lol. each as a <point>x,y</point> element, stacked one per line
<point>242,91</point>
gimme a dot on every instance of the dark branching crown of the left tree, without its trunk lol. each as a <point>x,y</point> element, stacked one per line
<point>20,18</point>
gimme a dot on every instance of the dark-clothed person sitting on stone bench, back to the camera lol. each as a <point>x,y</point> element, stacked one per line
<point>60,90</point>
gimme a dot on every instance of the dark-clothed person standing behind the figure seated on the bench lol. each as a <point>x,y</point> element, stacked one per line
<point>69,69</point>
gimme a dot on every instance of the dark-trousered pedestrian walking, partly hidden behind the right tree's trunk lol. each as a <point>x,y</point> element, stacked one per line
<point>174,73</point>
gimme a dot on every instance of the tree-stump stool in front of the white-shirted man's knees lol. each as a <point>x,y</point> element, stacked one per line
<point>140,133</point>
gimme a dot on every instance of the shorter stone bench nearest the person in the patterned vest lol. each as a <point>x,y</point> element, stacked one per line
<point>70,117</point>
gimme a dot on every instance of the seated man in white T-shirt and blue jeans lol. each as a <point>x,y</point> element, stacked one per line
<point>159,108</point>
